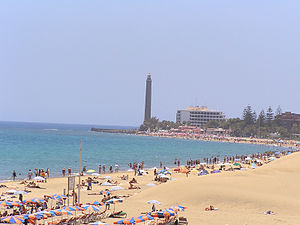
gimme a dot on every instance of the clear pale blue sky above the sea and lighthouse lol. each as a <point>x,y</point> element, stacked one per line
<point>86,62</point>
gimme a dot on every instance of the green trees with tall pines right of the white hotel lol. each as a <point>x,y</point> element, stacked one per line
<point>265,125</point>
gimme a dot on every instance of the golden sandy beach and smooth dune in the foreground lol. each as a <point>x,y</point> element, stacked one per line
<point>240,196</point>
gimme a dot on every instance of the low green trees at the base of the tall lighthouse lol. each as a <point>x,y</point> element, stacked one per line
<point>154,124</point>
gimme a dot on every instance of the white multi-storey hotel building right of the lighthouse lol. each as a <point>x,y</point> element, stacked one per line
<point>198,116</point>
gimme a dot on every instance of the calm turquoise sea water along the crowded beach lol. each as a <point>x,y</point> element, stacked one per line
<point>25,146</point>
